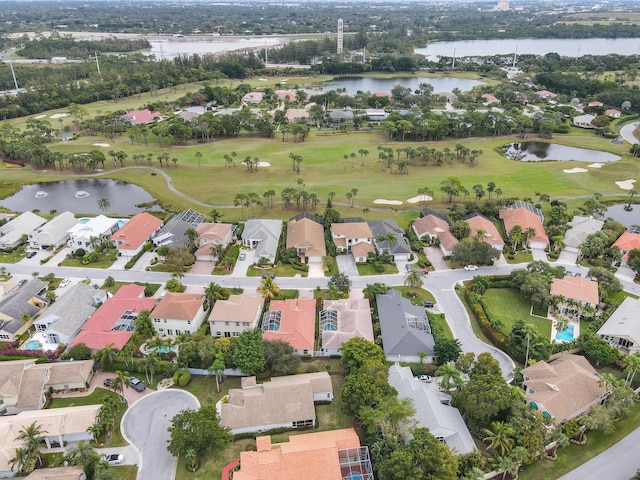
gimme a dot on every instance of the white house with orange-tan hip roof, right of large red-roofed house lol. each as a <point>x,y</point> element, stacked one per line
<point>178,313</point>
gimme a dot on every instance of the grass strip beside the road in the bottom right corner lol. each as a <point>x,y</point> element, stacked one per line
<point>574,455</point>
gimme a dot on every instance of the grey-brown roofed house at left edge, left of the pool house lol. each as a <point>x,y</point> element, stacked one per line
<point>27,300</point>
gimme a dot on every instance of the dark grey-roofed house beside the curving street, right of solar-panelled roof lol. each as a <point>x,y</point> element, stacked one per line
<point>405,328</point>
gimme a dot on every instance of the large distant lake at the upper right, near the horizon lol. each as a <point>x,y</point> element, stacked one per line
<point>570,47</point>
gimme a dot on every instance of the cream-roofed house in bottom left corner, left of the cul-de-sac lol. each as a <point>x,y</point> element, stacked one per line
<point>60,426</point>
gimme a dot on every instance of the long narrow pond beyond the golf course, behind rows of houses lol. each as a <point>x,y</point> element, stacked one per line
<point>354,85</point>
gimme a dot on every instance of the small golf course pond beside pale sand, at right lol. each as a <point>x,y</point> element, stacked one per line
<point>545,152</point>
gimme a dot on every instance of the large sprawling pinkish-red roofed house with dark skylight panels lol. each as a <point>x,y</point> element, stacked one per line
<point>113,321</point>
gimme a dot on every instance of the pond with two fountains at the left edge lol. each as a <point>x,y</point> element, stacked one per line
<point>80,196</point>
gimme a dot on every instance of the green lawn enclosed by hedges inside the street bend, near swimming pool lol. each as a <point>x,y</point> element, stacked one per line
<point>507,305</point>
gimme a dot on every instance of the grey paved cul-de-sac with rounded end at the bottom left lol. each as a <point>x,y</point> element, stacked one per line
<point>145,426</point>
